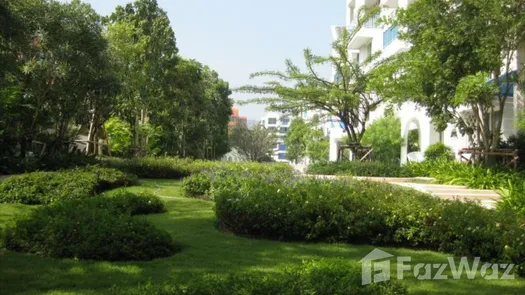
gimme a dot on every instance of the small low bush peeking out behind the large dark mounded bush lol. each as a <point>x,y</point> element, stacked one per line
<point>125,202</point>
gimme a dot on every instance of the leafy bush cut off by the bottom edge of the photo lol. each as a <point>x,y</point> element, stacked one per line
<point>313,277</point>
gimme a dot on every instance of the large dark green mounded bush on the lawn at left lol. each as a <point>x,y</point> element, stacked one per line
<point>74,229</point>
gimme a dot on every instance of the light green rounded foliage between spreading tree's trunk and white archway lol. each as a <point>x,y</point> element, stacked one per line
<point>384,135</point>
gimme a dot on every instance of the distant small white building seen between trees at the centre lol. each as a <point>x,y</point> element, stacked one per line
<point>278,123</point>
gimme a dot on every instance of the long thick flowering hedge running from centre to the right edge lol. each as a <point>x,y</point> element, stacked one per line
<point>366,212</point>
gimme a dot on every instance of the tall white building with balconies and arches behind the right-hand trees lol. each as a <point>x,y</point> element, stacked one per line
<point>373,38</point>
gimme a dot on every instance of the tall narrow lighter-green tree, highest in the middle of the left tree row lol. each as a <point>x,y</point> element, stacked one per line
<point>143,42</point>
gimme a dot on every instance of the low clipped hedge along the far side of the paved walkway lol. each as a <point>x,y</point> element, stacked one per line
<point>355,168</point>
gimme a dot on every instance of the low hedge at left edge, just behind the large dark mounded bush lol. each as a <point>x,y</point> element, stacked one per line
<point>48,187</point>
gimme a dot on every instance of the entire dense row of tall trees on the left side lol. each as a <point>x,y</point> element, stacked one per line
<point>66,71</point>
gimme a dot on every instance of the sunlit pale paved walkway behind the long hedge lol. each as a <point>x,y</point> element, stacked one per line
<point>487,198</point>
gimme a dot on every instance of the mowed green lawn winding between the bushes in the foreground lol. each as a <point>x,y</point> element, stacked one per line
<point>205,251</point>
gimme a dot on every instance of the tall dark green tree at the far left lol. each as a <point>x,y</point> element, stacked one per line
<point>58,54</point>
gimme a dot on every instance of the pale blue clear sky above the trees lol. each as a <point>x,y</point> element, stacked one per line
<point>238,37</point>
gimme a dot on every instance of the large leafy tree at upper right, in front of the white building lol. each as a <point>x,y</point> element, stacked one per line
<point>456,47</point>
